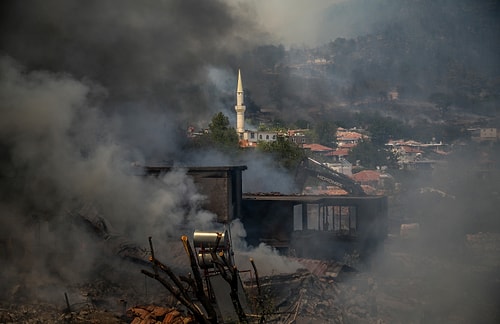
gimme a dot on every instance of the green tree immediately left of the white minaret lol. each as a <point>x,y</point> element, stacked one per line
<point>222,135</point>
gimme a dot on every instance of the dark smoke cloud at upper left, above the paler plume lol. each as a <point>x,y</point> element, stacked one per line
<point>155,52</point>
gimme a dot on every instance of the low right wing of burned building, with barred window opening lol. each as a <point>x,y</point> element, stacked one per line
<point>322,227</point>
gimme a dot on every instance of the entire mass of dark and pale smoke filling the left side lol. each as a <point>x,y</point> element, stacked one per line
<point>86,90</point>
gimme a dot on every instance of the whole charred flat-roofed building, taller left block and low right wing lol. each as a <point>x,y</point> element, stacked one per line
<point>307,226</point>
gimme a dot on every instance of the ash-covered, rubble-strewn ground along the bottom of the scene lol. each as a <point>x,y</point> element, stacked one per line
<point>404,284</point>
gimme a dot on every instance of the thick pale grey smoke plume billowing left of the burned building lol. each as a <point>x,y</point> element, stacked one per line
<point>62,167</point>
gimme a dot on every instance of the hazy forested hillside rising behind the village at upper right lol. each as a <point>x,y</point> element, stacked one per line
<point>442,52</point>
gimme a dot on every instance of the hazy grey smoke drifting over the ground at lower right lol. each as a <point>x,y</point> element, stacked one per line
<point>450,265</point>
